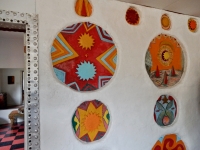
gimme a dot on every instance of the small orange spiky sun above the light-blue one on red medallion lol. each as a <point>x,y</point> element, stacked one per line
<point>86,41</point>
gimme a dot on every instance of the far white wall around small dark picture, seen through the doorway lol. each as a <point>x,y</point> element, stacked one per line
<point>14,91</point>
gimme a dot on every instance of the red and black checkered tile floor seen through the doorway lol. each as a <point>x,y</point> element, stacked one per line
<point>12,138</point>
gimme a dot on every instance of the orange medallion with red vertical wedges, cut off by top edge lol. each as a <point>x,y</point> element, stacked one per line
<point>83,8</point>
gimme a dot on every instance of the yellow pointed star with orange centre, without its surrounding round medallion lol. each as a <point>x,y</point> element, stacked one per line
<point>91,121</point>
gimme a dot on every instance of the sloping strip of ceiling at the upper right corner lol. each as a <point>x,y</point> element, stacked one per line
<point>188,7</point>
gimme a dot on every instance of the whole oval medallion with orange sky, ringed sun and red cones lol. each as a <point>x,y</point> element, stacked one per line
<point>164,61</point>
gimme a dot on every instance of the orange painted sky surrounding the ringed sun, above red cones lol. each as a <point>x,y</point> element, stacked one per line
<point>154,49</point>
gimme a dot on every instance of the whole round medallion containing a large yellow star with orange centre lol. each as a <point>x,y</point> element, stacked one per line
<point>90,121</point>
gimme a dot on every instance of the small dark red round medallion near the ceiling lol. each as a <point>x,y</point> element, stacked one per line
<point>132,16</point>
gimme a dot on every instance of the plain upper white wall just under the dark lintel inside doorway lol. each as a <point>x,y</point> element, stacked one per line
<point>11,50</point>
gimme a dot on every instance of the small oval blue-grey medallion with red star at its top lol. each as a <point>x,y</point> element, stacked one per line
<point>165,110</point>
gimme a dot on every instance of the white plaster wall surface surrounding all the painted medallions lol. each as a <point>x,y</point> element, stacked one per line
<point>130,96</point>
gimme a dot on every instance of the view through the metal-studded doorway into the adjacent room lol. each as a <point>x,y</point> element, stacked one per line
<point>12,63</point>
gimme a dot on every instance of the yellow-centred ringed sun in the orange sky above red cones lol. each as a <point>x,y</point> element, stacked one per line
<point>165,55</point>
